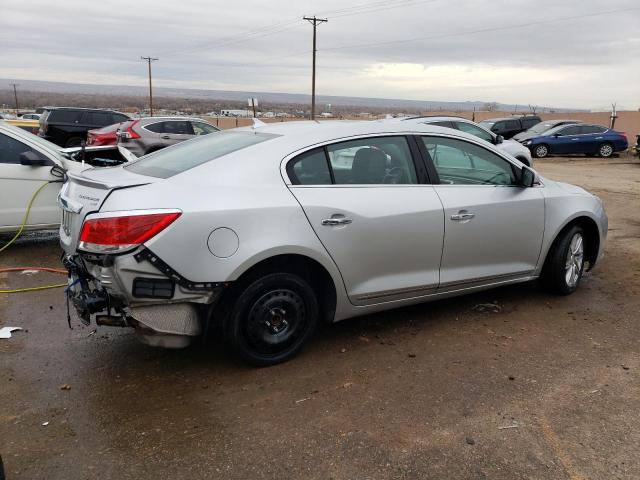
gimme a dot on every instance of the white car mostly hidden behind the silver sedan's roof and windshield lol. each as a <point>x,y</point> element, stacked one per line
<point>513,148</point>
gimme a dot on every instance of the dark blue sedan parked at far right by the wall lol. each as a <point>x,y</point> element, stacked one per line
<point>587,139</point>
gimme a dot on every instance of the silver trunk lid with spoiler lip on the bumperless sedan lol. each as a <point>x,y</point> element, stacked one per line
<point>85,192</point>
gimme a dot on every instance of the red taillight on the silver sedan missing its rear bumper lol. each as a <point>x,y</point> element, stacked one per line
<point>118,232</point>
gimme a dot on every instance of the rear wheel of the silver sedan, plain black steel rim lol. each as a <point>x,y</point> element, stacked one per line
<point>272,319</point>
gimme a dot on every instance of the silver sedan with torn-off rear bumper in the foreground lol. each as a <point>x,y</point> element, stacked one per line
<point>261,234</point>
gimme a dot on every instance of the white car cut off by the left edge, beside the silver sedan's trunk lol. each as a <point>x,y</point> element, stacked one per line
<point>27,162</point>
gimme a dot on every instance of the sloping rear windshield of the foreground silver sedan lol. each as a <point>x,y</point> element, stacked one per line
<point>170,161</point>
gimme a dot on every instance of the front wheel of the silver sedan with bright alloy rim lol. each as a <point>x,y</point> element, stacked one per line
<point>565,262</point>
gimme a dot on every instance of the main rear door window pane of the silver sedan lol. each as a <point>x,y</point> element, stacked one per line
<point>376,160</point>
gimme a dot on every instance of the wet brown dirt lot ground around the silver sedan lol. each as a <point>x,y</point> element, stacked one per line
<point>546,388</point>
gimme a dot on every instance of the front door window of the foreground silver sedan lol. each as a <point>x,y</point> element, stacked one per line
<point>462,163</point>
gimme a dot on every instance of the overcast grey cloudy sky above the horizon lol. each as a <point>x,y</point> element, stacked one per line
<point>571,53</point>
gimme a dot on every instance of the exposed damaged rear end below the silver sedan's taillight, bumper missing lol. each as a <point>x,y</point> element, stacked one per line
<point>142,292</point>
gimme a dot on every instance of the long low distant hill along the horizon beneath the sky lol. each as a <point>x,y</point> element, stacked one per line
<point>266,97</point>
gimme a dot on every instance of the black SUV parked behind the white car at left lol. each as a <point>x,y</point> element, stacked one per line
<point>67,126</point>
